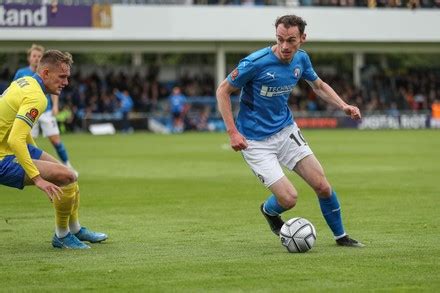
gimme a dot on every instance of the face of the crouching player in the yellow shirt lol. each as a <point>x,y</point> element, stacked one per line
<point>55,78</point>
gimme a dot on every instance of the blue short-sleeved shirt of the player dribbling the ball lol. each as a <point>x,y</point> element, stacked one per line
<point>265,83</point>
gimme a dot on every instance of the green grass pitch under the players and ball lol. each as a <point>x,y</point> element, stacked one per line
<point>182,215</point>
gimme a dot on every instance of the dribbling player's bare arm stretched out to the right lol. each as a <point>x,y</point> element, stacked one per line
<point>326,92</point>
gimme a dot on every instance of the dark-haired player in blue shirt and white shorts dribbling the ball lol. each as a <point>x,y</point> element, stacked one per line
<point>265,131</point>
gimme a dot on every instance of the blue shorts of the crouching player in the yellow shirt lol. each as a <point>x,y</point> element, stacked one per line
<point>12,173</point>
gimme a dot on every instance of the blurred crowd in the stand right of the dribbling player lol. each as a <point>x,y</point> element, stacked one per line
<point>413,90</point>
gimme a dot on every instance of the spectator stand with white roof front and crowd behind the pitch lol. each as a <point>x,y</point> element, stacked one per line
<point>384,60</point>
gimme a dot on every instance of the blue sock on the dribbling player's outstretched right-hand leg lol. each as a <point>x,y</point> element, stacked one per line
<point>331,210</point>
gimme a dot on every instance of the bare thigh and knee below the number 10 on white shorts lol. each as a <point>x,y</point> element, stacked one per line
<point>312,172</point>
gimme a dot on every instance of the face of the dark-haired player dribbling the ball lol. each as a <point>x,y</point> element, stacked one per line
<point>288,42</point>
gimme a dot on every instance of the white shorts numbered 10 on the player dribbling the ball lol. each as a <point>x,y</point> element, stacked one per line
<point>285,148</point>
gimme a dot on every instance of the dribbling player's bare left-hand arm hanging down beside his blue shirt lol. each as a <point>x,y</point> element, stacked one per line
<point>224,91</point>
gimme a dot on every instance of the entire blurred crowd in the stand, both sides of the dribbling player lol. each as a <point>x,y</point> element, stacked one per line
<point>117,94</point>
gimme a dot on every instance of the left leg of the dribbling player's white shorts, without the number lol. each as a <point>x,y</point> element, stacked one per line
<point>262,160</point>
